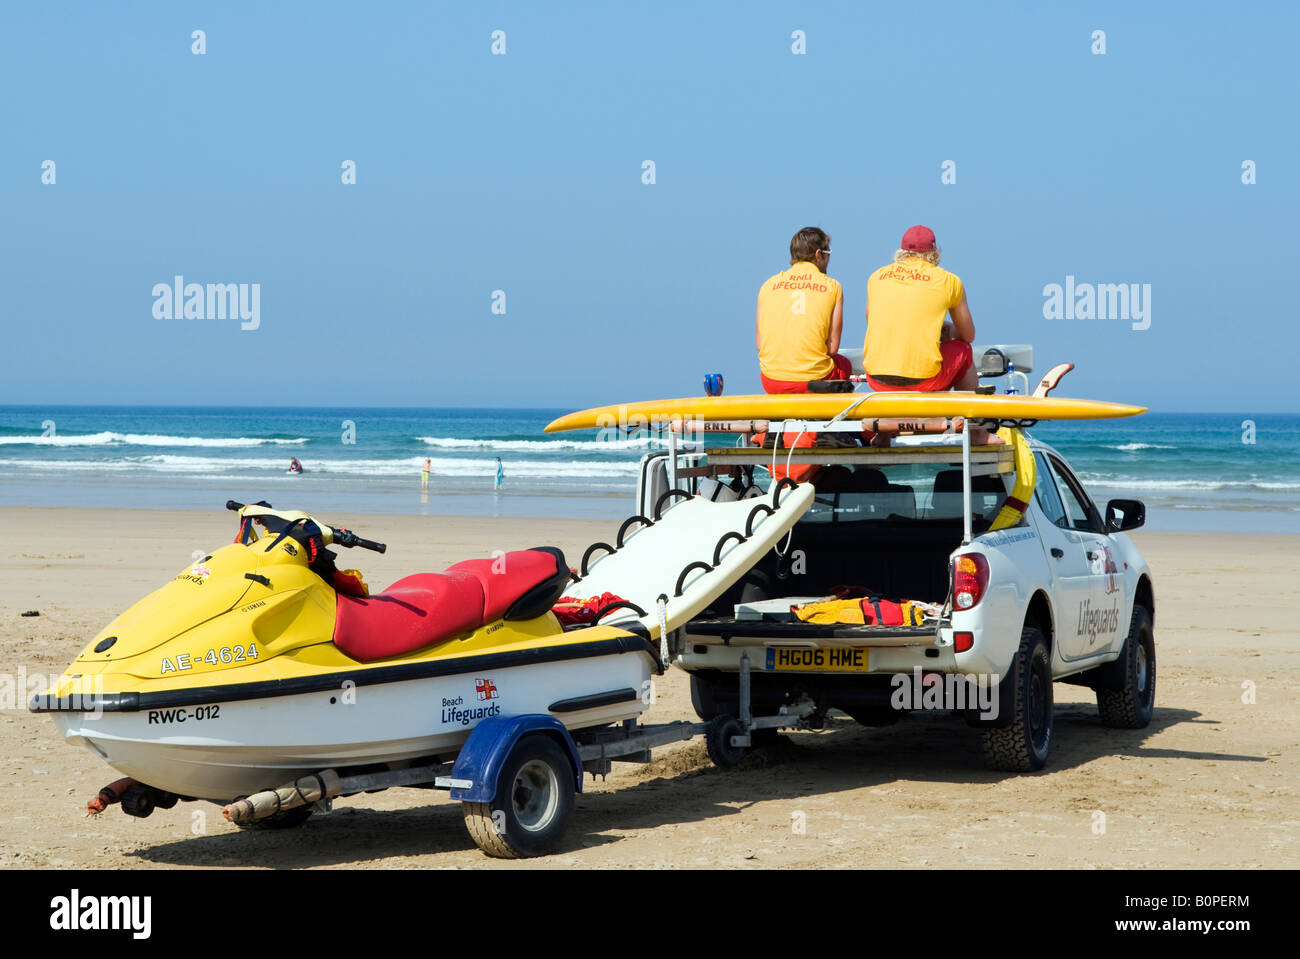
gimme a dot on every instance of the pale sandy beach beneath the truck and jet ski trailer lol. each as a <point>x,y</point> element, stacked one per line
<point>1211,784</point>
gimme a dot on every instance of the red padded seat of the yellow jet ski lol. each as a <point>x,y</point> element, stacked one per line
<point>430,609</point>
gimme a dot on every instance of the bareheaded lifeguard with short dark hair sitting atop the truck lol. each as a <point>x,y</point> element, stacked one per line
<point>799,319</point>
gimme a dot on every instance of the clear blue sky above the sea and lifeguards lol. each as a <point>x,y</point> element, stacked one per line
<point>523,172</point>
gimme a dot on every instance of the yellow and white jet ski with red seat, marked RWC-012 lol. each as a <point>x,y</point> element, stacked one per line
<point>263,662</point>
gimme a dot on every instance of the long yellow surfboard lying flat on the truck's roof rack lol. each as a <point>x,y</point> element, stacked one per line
<point>826,406</point>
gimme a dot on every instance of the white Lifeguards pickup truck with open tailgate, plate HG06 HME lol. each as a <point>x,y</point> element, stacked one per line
<point>1060,596</point>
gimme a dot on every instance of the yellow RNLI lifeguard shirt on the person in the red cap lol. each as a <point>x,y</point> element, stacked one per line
<point>907,305</point>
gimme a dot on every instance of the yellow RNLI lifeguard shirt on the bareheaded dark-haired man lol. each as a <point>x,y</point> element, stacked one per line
<point>795,310</point>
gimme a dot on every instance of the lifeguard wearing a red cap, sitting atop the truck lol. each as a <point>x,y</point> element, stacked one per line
<point>911,345</point>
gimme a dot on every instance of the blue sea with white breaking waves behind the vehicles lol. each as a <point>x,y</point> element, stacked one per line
<point>1197,472</point>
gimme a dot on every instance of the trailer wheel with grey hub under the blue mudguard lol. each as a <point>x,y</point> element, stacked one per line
<point>534,802</point>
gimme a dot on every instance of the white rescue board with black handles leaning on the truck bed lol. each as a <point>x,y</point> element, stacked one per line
<point>657,561</point>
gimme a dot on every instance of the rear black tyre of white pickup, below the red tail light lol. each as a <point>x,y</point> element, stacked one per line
<point>1025,743</point>
